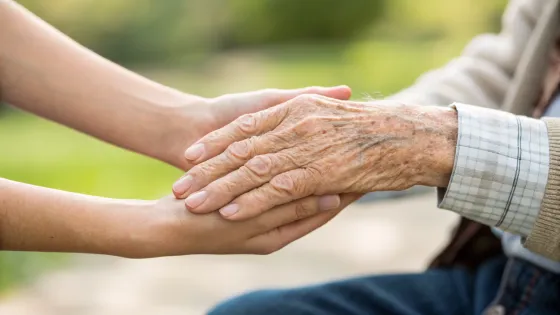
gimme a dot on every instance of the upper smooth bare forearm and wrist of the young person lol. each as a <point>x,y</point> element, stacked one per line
<point>47,73</point>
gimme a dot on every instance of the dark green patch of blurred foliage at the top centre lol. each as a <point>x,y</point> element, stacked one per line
<point>281,21</point>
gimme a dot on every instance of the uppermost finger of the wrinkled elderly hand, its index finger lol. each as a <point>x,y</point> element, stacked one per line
<point>242,128</point>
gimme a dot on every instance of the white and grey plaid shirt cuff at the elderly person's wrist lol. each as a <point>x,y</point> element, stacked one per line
<point>501,169</point>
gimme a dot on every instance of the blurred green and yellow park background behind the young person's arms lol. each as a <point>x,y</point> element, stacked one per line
<point>210,47</point>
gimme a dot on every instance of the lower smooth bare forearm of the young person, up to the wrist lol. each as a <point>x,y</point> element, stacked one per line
<point>40,219</point>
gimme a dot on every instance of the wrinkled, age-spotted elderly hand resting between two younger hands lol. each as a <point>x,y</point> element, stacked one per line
<point>314,145</point>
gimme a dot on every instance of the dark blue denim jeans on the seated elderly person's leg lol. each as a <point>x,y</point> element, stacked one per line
<point>499,286</point>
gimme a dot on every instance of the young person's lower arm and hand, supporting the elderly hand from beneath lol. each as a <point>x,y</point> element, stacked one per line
<point>41,219</point>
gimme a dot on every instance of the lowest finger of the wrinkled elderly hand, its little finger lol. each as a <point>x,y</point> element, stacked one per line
<point>281,189</point>
